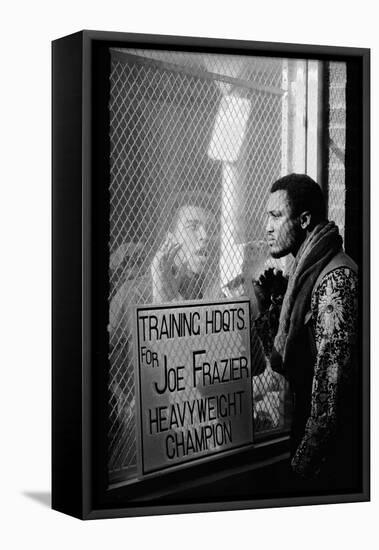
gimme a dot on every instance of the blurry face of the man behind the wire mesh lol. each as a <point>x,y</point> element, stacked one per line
<point>191,234</point>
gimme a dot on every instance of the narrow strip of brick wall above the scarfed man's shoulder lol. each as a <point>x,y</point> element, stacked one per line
<point>337,143</point>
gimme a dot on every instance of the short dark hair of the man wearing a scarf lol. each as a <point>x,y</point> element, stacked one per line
<point>304,194</point>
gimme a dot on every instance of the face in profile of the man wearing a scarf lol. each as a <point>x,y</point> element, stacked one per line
<point>283,230</point>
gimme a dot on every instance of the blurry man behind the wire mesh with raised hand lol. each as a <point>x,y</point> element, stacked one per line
<point>177,273</point>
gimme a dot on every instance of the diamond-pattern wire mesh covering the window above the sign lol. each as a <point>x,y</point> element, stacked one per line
<point>196,129</point>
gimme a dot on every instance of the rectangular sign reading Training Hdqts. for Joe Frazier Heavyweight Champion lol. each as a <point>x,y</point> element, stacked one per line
<point>194,381</point>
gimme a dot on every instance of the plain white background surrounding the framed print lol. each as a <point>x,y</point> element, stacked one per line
<point>27,28</point>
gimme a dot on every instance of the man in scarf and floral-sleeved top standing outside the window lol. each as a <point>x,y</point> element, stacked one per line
<point>316,333</point>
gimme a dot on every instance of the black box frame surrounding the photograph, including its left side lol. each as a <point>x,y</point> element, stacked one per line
<point>80,207</point>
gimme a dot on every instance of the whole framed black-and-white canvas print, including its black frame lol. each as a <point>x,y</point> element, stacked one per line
<point>210,274</point>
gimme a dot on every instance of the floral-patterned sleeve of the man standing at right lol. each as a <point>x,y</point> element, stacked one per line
<point>334,312</point>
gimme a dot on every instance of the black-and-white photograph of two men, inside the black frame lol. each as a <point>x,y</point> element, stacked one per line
<point>233,300</point>
